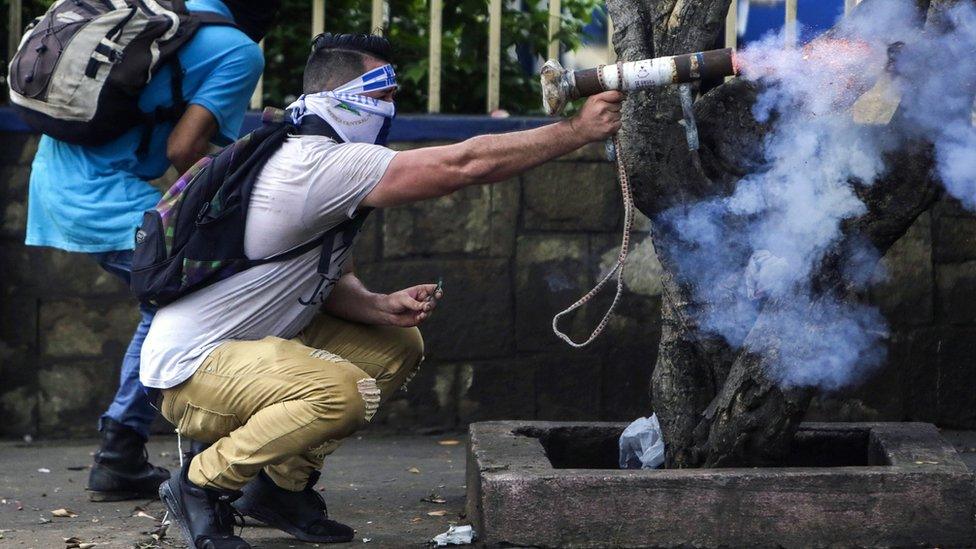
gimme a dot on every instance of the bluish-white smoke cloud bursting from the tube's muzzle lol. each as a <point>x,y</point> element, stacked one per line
<point>754,255</point>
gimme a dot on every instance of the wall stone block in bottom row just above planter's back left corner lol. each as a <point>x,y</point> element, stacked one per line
<point>501,389</point>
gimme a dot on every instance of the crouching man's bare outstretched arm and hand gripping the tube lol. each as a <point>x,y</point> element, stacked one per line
<point>437,171</point>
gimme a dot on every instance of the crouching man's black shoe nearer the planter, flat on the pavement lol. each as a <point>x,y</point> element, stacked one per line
<point>301,514</point>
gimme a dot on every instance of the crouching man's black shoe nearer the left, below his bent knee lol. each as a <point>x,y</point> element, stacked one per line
<point>204,515</point>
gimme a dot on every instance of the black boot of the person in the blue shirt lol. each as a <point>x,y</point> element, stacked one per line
<point>122,469</point>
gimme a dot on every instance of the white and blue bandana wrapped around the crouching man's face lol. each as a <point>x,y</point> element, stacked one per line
<point>356,117</point>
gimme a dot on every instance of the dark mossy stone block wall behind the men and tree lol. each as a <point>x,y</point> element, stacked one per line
<point>511,255</point>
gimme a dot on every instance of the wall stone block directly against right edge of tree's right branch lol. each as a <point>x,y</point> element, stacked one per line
<point>904,276</point>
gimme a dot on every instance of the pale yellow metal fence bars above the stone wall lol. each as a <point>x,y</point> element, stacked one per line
<point>379,15</point>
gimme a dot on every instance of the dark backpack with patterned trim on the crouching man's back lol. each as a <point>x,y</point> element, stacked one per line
<point>195,235</point>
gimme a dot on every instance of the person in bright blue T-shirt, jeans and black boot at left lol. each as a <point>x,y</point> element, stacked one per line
<point>90,199</point>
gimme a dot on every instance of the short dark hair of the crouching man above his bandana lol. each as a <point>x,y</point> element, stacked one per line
<point>338,58</point>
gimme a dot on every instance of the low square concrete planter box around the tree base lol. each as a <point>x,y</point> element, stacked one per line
<point>546,484</point>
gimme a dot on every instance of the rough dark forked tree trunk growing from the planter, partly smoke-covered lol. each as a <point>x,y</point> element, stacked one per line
<point>716,403</point>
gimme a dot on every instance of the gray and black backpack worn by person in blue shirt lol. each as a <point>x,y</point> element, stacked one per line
<point>81,67</point>
